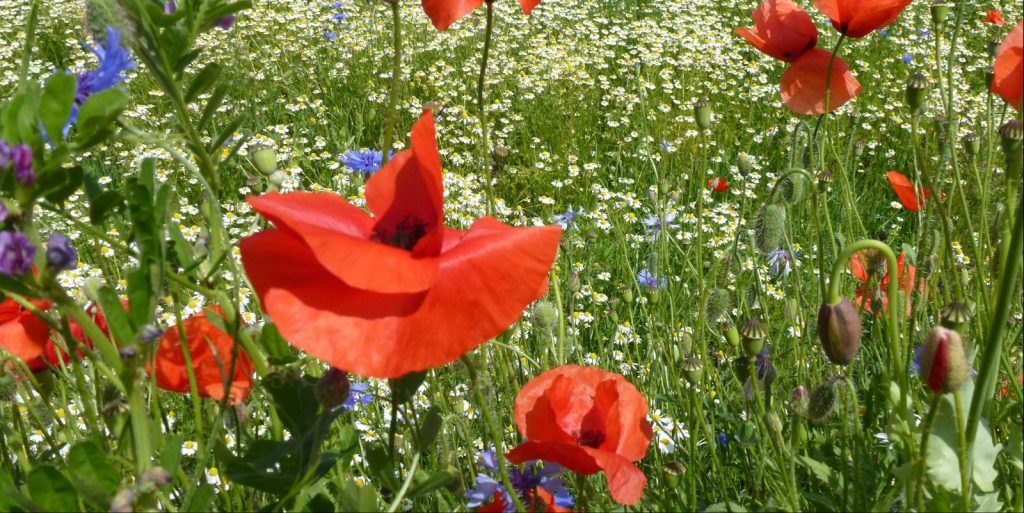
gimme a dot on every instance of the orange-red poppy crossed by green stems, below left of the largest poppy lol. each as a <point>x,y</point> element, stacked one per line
<point>211,353</point>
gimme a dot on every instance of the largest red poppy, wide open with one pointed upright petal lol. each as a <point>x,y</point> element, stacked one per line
<point>396,293</point>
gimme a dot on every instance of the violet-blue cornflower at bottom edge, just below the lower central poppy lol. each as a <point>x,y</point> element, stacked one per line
<point>526,480</point>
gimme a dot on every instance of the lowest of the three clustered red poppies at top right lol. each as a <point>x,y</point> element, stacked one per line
<point>803,84</point>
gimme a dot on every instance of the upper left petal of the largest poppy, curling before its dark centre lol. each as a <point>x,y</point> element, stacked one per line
<point>338,234</point>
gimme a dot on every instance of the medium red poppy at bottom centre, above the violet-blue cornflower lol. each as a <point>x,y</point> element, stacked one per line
<point>588,421</point>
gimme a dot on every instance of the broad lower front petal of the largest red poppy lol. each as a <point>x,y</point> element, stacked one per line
<point>486,278</point>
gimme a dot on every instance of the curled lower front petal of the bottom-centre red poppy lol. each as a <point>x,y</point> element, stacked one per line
<point>626,481</point>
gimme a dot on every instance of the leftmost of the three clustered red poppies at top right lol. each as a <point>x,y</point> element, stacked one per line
<point>782,30</point>
